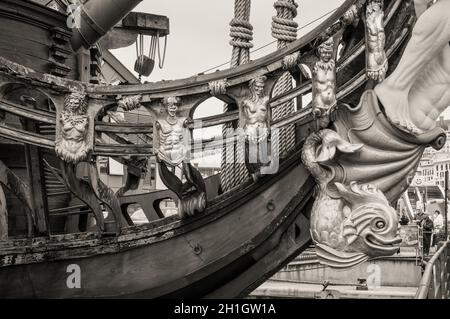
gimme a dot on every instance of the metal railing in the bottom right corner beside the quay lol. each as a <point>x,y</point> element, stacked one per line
<point>435,282</point>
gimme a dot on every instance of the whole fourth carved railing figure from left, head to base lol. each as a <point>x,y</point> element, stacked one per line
<point>324,83</point>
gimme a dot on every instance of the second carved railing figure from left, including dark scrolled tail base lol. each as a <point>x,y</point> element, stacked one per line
<point>172,146</point>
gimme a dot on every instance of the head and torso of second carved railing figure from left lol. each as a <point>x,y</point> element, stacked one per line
<point>173,135</point>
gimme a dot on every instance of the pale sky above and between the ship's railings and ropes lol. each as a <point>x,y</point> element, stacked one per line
<point>199,41</point>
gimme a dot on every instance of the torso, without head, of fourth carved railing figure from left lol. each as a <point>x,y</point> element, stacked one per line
<point>324,86</point>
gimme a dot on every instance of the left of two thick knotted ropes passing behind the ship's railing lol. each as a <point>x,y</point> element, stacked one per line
<point>233,169</point>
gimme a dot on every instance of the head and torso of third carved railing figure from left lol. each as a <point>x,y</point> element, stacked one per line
<point>256,111</point>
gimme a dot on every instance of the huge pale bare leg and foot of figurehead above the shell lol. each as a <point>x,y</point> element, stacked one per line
<point>418,91</point>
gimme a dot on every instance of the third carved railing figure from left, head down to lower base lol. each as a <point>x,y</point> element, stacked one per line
<point>255,118</point>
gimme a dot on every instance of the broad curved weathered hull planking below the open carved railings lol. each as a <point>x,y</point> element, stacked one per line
<point>202,245</point>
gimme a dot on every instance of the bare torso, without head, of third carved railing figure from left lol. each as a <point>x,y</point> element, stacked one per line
<point>256,118</point>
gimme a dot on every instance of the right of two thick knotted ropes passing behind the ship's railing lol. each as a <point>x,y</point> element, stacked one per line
<point>284,29</point>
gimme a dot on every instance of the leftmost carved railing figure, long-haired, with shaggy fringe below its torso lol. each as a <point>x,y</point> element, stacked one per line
<point>72,144</point>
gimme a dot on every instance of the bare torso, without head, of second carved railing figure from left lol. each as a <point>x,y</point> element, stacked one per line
<point>172,141</point>
